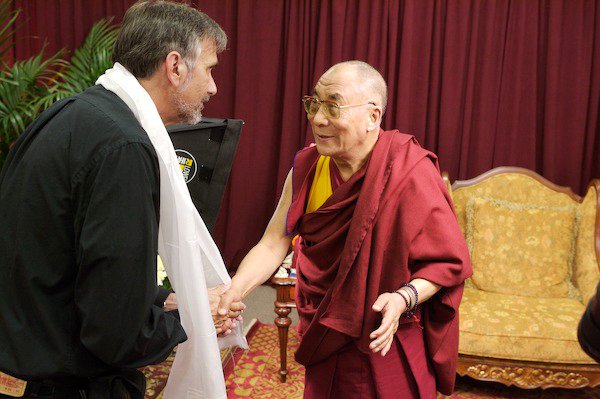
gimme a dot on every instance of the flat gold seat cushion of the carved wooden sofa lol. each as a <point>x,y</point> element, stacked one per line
<point>520,328</point>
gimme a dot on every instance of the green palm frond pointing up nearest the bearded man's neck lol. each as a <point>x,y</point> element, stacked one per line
<point>87,63</point>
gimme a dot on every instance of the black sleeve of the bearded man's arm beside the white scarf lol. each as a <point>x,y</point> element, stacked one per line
<point>117,228</point>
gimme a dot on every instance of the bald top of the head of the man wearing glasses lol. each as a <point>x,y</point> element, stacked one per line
<point>371,80</point>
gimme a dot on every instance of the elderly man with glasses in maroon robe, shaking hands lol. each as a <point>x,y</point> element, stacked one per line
<point>380,258</point>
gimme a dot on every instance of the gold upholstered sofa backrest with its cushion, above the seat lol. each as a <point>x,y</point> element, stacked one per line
<point>528,236</point>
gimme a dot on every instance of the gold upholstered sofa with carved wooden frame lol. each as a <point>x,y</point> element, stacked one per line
<point>535,249</point>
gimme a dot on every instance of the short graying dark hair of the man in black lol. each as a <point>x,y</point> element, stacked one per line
<point>152,29</point>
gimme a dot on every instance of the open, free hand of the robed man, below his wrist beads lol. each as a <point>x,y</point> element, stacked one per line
<point>391,306</point>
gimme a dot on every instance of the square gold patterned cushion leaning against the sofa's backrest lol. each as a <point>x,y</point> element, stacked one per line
<point>522,249</point>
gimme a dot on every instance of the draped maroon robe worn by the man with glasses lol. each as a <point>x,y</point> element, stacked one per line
<point>391,222</point>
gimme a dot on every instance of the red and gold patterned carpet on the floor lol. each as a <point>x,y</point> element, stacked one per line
<point>253,374</point>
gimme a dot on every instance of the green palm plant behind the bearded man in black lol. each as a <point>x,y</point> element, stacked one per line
<point>29,86</point>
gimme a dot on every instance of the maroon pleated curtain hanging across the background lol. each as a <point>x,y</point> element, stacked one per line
<point>481,83</point>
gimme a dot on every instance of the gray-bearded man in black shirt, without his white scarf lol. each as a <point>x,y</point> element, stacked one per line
<point>79,205</point>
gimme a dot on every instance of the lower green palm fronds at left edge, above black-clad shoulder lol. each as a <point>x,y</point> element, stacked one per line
<point>22,87</point>
